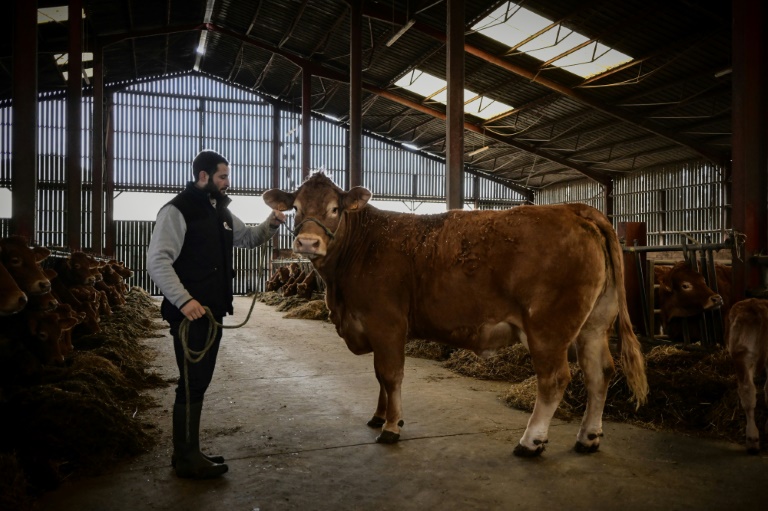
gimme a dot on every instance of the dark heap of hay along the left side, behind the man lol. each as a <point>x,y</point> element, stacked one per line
<point>80,418</point>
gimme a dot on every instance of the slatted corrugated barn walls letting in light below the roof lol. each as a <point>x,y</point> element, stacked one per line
<point>160,126</point>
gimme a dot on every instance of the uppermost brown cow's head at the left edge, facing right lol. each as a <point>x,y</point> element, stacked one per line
<point>22,262</point>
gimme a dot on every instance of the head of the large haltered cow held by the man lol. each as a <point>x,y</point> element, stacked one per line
<point>320,206</point>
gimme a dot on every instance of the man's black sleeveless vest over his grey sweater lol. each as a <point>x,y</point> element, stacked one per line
<point>204,265</point>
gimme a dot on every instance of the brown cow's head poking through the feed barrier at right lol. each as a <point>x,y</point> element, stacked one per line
<point>683,292</point>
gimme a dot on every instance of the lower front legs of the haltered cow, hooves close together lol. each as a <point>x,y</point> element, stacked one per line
<point>389,363</point>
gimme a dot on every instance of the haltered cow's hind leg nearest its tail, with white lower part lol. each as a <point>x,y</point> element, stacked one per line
<point>597,366</point>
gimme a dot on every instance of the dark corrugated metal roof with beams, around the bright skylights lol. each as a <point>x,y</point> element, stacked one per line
<point>670,105</point>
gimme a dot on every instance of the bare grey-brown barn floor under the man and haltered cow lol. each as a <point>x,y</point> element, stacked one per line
<point>288,408</point>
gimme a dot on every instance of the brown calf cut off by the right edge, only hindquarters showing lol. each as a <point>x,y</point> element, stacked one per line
<point>748,345</point>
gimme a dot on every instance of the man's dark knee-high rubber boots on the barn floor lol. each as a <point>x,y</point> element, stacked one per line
<point>187,458</point>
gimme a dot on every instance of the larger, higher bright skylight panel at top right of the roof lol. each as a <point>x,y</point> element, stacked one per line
<point>543,39</point>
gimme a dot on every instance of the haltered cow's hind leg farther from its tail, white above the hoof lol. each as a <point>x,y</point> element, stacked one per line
<point>552,377</point>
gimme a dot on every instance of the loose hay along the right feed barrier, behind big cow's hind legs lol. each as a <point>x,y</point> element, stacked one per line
<point>692,391</point>
